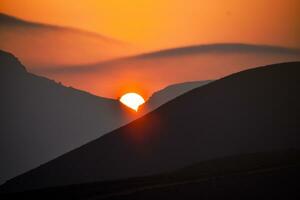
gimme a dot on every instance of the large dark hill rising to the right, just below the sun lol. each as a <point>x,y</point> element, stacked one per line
<point>252,111</point>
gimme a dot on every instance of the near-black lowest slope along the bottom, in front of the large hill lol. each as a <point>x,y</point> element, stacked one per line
<point>248,176</point>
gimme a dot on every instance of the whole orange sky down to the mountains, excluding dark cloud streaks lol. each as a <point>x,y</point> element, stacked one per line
<point>147,25</point>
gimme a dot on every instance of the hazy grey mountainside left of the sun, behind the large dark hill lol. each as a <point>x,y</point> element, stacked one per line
<point>41,119</point>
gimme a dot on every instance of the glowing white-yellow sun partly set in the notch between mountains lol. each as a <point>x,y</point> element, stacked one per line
<point>132,100</point>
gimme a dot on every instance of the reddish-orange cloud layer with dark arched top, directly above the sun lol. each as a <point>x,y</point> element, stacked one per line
<point>156,70</point>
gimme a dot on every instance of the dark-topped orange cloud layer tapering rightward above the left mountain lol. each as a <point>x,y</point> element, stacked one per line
<point>41,45</point>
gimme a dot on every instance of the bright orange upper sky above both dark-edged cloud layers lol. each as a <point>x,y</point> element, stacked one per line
<point>156,24</point>
